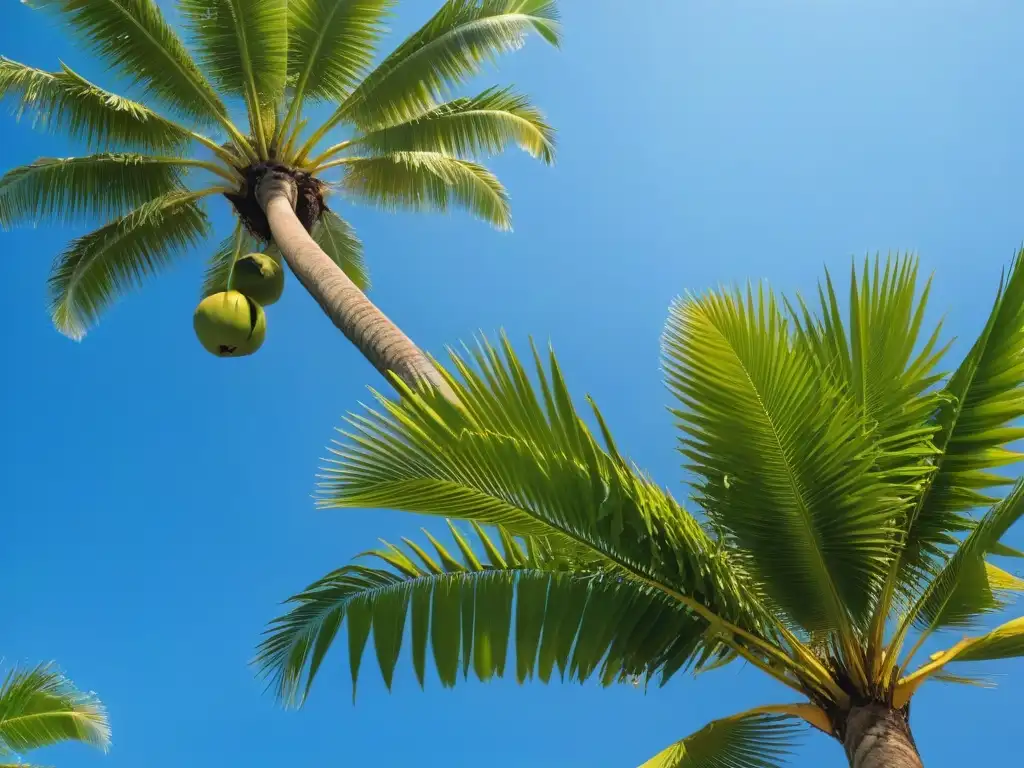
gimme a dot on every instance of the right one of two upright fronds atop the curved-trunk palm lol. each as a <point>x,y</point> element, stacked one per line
<point>332,45</point>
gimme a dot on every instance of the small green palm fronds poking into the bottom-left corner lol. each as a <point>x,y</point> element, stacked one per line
<point>40,708</point>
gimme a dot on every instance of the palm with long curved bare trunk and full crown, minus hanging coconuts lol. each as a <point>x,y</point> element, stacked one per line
<point>398,145</point>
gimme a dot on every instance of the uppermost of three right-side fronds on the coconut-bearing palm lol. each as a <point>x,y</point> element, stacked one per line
<point>447,51</point>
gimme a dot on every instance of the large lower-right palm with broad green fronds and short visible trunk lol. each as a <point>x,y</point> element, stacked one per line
<point>835,478</point>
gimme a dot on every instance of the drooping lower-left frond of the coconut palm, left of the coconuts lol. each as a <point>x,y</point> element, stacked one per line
<point>99,268</point>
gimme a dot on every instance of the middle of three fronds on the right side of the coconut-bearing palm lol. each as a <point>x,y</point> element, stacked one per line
<point>470,127</point>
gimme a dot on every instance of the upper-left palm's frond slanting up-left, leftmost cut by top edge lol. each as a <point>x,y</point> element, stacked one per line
<point>135,37</point>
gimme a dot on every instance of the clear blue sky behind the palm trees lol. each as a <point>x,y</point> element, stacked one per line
<point>156,501</point>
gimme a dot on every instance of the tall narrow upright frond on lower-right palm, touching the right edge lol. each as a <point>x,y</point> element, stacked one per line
<point>984,399</point>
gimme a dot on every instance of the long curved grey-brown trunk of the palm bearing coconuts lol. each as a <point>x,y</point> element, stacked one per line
<point>368,328</point>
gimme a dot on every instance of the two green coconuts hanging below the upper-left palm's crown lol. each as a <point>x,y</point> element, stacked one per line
<point>232,323</point>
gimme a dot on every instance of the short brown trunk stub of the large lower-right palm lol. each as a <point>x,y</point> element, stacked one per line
<point>877,737</point>
